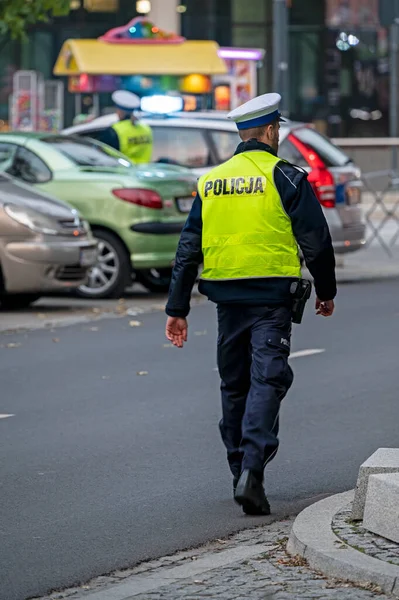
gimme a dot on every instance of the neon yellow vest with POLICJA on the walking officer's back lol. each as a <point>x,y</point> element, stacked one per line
<point>246,232</point>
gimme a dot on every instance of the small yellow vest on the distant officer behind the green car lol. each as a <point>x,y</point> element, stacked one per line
<point>135,140</point>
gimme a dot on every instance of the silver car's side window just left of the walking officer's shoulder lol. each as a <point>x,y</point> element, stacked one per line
<point>184,146</point>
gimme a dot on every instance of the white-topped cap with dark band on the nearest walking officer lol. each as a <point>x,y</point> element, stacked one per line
<point>262,110</point>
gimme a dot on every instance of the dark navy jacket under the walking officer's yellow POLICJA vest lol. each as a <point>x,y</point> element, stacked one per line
<point>310,230</point>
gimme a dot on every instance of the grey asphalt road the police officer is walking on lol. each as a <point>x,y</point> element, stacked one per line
<point>102,468</point>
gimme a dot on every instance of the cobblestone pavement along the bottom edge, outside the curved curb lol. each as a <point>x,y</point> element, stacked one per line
<point>256,567</point>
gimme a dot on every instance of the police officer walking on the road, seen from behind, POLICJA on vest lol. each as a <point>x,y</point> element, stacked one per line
<point>247,220</point>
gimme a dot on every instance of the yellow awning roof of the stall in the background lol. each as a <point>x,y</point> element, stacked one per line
<point>96,57</point>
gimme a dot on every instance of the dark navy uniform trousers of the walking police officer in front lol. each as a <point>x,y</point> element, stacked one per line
<point>253,351</point>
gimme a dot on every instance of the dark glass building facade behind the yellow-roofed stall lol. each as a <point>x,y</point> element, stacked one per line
<point>338,59</point>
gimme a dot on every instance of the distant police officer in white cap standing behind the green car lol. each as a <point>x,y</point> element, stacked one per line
<point>129,135</point>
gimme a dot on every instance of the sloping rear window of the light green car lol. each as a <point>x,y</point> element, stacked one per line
<point>87,152</point>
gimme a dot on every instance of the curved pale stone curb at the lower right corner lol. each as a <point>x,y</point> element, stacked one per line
<point>313,539</point>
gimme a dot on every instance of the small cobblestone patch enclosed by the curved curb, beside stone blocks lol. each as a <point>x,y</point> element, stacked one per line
<point>355,535</point>
